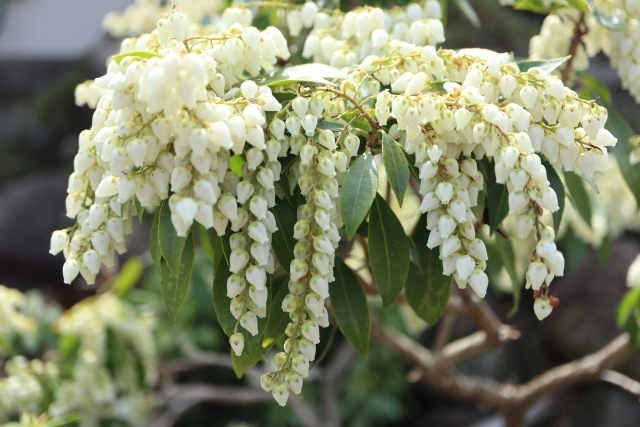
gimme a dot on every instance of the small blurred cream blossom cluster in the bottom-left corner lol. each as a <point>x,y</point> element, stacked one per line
<point>22,390</point>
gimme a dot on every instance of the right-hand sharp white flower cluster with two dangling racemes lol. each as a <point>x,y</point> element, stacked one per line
<point>466,118</point>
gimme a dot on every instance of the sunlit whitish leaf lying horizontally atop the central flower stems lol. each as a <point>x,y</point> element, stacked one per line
<point>306,73</point>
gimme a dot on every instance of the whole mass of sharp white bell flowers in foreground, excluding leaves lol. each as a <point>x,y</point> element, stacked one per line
<point>176,104</point>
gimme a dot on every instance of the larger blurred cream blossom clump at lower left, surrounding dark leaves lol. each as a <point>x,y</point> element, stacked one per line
<point>95,391</point>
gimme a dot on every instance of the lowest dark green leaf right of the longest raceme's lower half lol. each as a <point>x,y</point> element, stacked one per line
<point>350,308</point>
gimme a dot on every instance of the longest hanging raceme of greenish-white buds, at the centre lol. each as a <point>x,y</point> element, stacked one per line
<point>318,170</point>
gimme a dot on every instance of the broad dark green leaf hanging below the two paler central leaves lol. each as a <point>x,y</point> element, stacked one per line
<point>389,251</point>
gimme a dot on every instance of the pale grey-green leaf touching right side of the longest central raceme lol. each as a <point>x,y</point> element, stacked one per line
<point>358,192</point>
